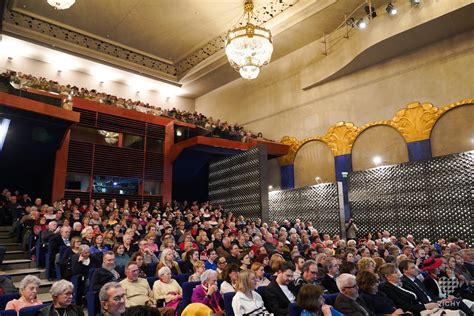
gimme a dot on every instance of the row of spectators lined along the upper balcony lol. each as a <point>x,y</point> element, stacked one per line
<point>214,127</point>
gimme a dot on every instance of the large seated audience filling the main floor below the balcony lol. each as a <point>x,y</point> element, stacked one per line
<point>267,265</point>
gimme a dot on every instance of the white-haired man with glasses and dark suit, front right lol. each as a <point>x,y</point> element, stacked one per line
<point>348,301</point>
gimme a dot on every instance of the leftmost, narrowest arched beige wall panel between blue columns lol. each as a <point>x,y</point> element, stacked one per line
<point>313,160</point>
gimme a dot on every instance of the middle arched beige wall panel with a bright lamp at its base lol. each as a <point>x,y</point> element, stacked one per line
<point>382,141</point>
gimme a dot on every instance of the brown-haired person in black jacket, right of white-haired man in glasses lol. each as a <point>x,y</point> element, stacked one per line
<point>404,299</point>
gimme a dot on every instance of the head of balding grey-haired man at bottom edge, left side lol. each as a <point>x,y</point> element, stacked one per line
<point>112,299</point>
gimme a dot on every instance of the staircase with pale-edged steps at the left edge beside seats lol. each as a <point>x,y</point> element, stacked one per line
<point>17,265</point>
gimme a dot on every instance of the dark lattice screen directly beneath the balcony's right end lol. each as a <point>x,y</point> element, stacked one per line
<point>239,183</point>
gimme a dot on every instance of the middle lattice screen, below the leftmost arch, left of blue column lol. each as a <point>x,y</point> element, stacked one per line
<point>318,204</point>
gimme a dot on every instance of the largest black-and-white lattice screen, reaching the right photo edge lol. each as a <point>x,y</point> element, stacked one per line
<point>432,199</point>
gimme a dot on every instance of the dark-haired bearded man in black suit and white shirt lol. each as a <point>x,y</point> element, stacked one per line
<point>281,292</point>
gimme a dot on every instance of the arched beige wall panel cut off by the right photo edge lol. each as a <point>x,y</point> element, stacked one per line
<point>453,132</point>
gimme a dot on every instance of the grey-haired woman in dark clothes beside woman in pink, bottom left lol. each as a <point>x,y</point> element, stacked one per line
<point>62,292</point>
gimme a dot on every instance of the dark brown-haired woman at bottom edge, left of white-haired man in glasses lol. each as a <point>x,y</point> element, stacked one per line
<point>310,299</point>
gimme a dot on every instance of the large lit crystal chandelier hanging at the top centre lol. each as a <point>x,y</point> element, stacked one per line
<point>249,47</point>
